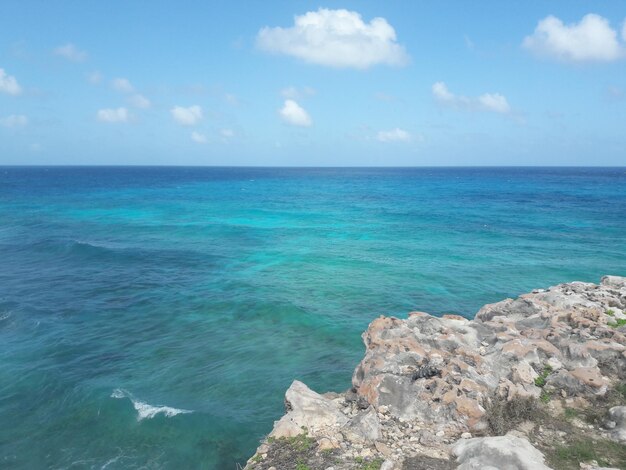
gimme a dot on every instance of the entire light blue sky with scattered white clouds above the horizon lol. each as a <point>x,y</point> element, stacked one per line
<point>297,83</point>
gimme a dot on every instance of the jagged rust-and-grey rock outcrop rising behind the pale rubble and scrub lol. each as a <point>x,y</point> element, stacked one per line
<point>440,370</point>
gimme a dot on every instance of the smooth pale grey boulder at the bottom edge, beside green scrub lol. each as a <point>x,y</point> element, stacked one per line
<point>499,452</point>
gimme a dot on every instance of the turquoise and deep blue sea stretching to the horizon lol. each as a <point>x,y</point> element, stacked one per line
<point>209,290</point>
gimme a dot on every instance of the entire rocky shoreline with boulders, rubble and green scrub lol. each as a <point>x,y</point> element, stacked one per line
<point>536,382</point>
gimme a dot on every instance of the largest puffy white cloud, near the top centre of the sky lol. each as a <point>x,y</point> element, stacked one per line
<point>335,38</point>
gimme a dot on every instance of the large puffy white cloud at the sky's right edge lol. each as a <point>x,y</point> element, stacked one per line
<point>592,39</point>
